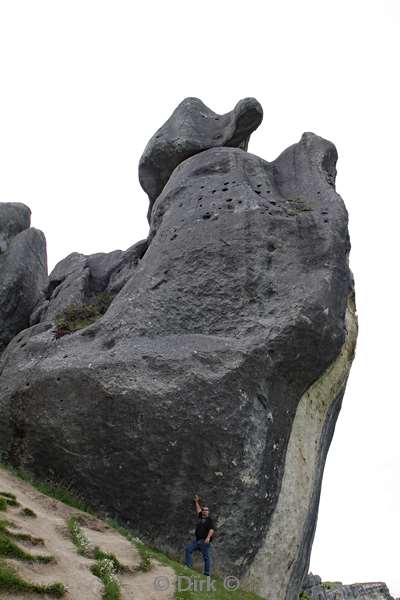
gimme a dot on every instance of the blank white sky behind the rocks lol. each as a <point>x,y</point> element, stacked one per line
<point>84,84</point>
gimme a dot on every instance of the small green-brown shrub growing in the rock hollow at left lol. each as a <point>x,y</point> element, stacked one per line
<point>78,316</point>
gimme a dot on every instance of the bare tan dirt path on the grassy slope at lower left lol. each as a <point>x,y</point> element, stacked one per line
<point>69,567</point>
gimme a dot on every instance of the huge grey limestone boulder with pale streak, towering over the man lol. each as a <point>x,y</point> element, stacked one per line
<point>220,366</point>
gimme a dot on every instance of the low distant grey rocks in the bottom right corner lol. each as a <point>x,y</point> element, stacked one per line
<point>318,590</point>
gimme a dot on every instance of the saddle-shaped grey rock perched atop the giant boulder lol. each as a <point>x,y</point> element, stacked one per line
<point>192,128</point>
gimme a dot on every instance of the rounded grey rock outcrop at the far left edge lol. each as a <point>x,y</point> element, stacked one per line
<point>23,270</point>
